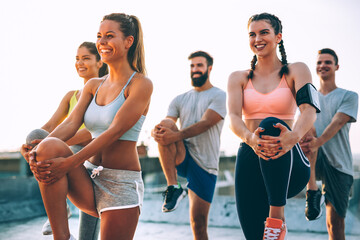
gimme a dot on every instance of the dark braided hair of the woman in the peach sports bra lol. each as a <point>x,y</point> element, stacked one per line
<point>276,25</point>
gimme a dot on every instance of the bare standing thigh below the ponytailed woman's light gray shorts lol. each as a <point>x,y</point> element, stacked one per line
<point>119,224</point>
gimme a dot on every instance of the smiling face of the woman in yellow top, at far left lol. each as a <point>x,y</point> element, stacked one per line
<point>86,64</point>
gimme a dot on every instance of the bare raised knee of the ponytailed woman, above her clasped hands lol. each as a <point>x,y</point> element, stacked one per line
<point>51,148</point>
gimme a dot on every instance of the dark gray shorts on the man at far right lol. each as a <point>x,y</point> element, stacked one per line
<point>336,185</point>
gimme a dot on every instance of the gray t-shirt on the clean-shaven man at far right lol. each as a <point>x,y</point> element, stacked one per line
<point>337,149</point>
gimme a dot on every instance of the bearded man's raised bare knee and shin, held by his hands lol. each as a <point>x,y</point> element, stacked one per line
<point>171,155</point>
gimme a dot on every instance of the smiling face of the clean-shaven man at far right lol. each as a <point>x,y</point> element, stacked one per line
<point>325,66</point>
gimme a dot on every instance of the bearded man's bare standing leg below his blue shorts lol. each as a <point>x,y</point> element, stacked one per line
<point>199,211</point>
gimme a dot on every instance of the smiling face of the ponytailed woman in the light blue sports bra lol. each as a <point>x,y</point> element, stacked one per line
<point>111,43</point>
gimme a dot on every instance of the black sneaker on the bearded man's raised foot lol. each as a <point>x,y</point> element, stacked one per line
<point>172,197</point>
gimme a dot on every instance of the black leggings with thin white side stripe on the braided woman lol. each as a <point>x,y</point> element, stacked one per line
<point>260,183</point>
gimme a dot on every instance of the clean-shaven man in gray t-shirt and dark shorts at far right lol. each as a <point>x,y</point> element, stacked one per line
<point>329,152</point>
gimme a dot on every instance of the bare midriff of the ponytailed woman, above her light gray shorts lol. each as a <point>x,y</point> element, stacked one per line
<point>119,155</point>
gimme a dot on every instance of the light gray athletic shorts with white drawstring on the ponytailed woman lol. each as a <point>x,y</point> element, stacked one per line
<point>115,189</point>
